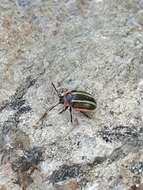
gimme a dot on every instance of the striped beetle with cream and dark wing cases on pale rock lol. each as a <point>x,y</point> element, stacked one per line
<point>78,100</point>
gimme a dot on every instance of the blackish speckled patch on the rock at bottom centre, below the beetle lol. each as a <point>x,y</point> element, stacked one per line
<point>65,172</point>
